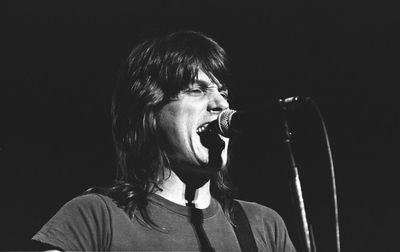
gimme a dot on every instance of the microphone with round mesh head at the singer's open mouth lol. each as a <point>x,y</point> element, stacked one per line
<point>231,122</point>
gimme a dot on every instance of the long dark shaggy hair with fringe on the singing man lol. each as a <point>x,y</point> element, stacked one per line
<point>153,74</point>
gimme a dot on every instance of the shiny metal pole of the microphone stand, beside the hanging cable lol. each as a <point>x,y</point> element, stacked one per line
<point>296,187</point>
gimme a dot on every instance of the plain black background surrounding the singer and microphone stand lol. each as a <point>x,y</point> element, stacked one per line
<point>61,61</point>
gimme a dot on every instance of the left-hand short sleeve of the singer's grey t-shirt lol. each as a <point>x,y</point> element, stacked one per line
<point>81,224</point>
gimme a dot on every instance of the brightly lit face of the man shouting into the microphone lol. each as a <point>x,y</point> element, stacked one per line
<point>182,121</point>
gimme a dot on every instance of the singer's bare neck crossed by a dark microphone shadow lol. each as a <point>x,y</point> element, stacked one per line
<point>175,190</point>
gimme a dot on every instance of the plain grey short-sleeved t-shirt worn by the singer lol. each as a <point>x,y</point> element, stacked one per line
<point>95,222</point>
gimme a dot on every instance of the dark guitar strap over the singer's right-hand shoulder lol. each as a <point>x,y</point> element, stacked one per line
<point>242,229</point>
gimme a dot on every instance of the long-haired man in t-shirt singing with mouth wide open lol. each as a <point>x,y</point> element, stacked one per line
<point>171,191</point>
